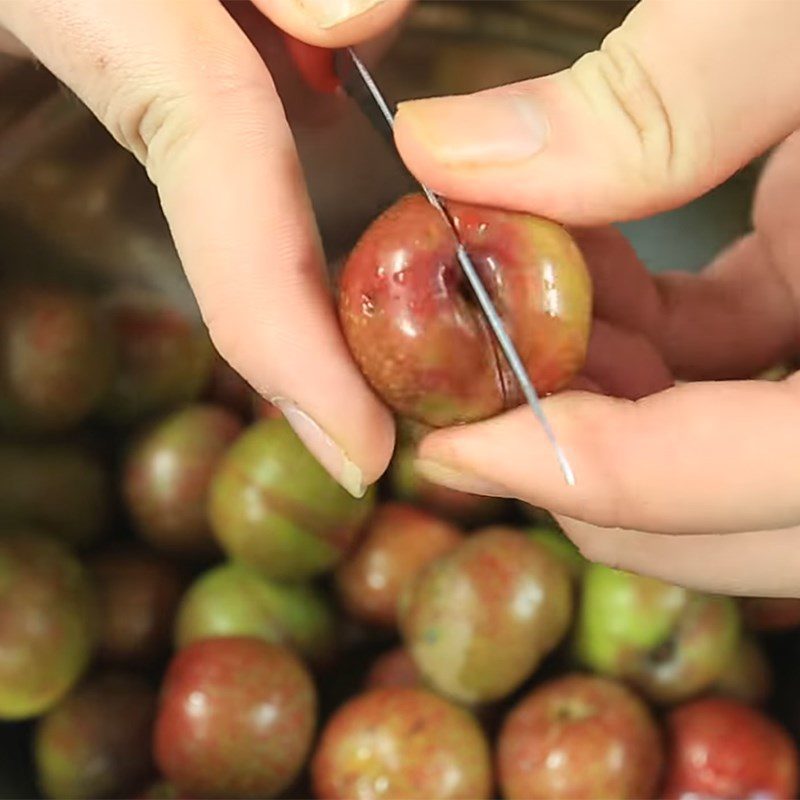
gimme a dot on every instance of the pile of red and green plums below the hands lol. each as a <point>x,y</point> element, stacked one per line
<point>190,607</point>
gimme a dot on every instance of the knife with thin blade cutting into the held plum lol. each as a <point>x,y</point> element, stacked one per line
<point>358,83</point>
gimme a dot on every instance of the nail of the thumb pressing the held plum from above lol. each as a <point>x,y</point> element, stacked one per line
<point>478,129</point>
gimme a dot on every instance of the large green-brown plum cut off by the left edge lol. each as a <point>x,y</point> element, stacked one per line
<point>48,622</point>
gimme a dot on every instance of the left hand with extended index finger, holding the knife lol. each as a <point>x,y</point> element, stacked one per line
<point>181,85</point>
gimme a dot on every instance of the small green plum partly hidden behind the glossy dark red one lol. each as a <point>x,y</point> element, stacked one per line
<point>235,600</point>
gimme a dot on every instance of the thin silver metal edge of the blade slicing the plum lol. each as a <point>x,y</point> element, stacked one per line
<point>471,272</point>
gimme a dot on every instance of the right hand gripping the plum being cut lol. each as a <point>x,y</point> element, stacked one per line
<point>694,483</point>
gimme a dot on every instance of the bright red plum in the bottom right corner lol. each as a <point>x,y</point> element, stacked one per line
<point>719,748</point>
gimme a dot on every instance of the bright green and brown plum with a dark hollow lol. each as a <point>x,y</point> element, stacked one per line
<point>669,642</point>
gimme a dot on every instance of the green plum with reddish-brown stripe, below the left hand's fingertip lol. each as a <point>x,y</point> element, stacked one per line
<point>275,508</point>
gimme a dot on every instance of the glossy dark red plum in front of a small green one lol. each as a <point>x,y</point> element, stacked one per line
<point>236,719</point>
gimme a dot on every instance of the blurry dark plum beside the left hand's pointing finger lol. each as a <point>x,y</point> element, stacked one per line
<point>163,359</point>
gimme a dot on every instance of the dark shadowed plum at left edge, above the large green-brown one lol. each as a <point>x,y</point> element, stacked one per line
<point>60,488</point>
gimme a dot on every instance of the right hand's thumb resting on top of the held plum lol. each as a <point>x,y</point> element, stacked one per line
<point>676,99</point>
